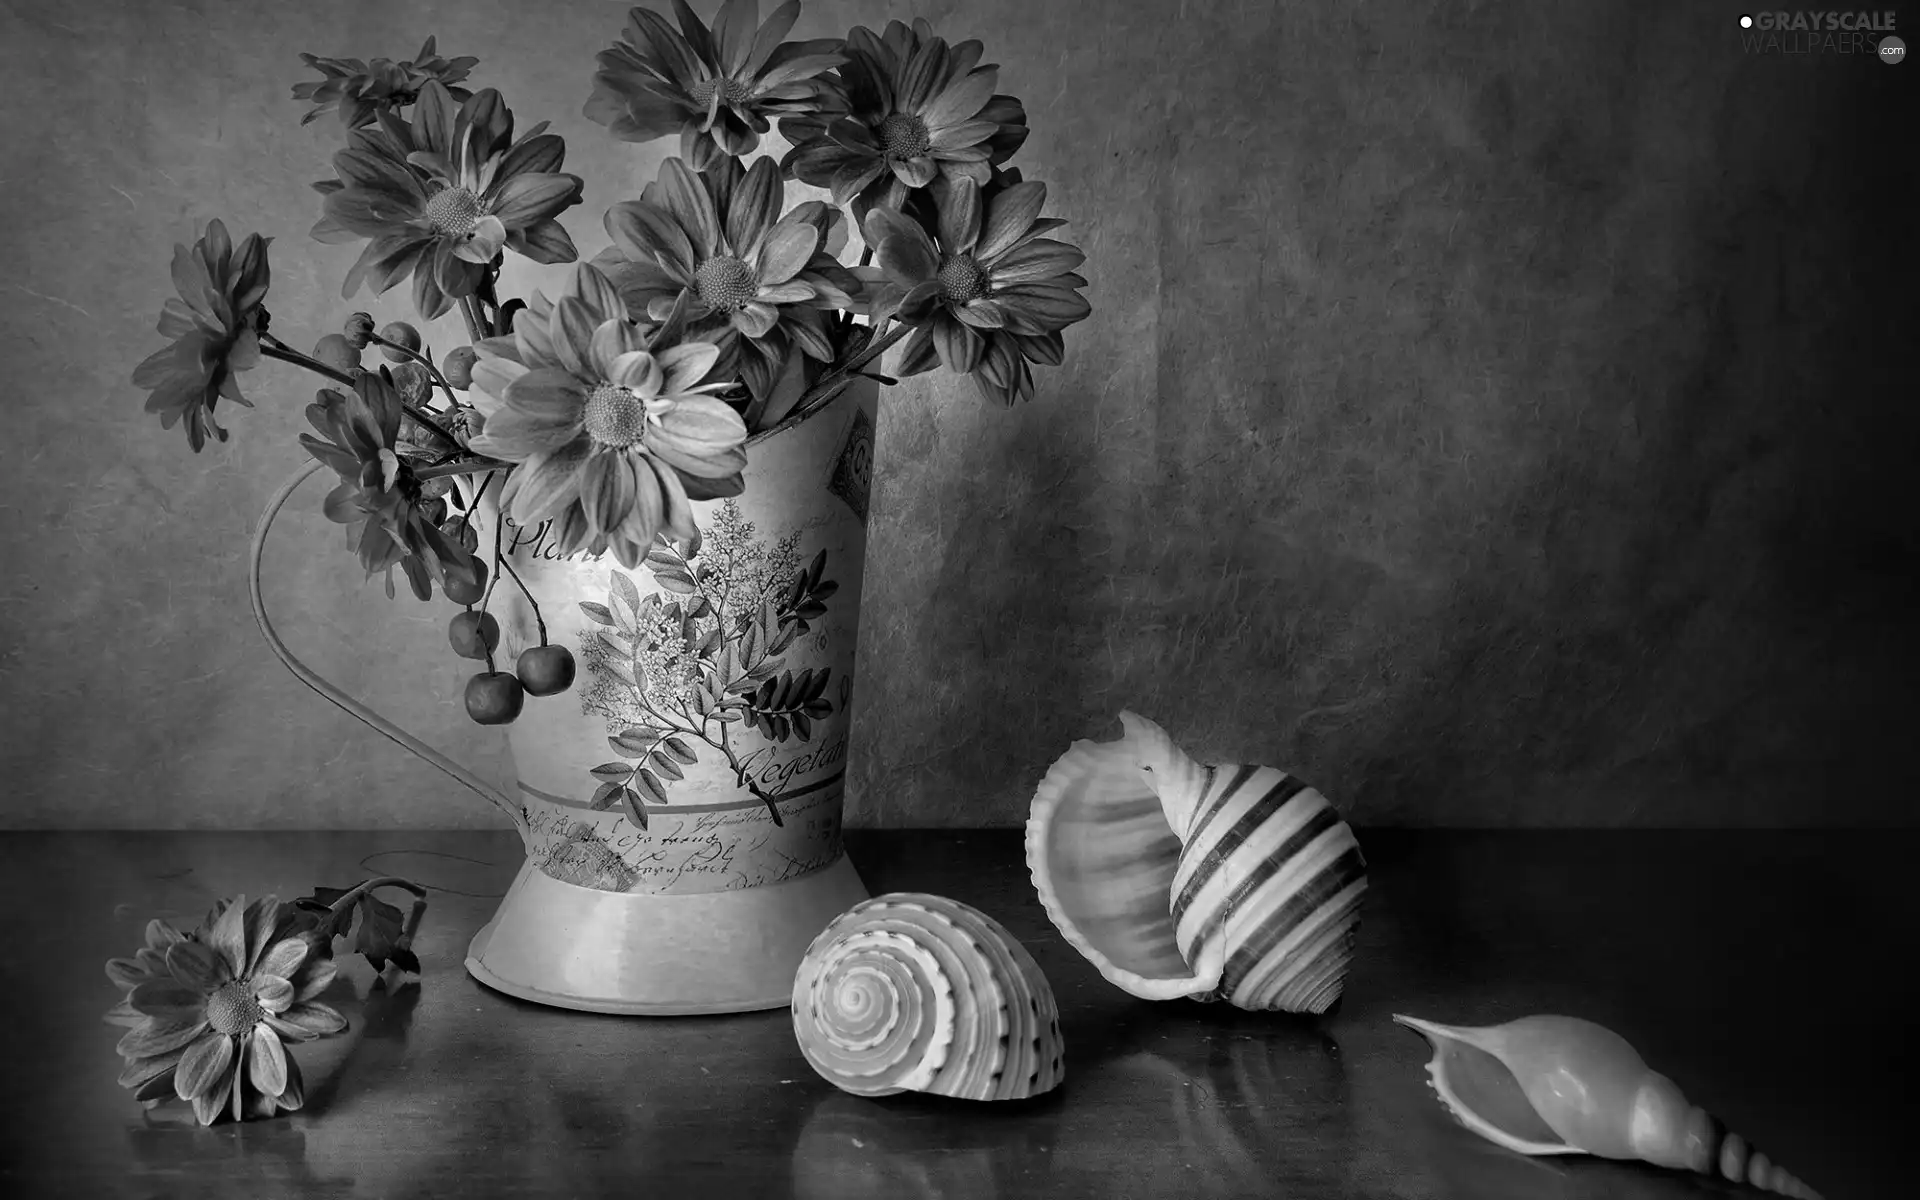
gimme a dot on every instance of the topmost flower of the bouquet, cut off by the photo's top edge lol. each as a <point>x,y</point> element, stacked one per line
<point>715,87</point>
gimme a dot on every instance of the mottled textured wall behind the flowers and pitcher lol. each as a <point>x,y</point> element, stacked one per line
<point>1493,412</point>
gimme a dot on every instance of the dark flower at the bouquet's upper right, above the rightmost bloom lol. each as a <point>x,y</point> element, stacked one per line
<point>913,110</point>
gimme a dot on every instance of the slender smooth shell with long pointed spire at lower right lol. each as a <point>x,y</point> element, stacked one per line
<point>1564,1086</point>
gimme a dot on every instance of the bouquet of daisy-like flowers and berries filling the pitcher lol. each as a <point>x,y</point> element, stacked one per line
<point>717,314</point>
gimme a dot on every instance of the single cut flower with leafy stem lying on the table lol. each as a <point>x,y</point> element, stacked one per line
<point>210,1013</point>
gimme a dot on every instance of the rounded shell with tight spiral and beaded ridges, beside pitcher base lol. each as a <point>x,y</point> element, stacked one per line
<point>913,992</point>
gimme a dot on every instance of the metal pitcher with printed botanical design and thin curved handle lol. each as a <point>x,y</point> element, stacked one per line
<point>681,805</point>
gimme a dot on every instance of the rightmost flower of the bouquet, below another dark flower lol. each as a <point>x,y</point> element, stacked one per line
<point>988,293</point>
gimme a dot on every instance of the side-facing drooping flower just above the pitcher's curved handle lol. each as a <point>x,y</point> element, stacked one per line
<point>379,491</point>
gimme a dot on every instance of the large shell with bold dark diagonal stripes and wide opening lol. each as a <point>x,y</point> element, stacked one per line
<point>1174,878</point>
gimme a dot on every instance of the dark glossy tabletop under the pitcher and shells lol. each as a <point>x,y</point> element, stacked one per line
<point>1758,971</point>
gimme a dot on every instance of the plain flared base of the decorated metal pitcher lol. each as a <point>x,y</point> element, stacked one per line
<point>658,955</point>
